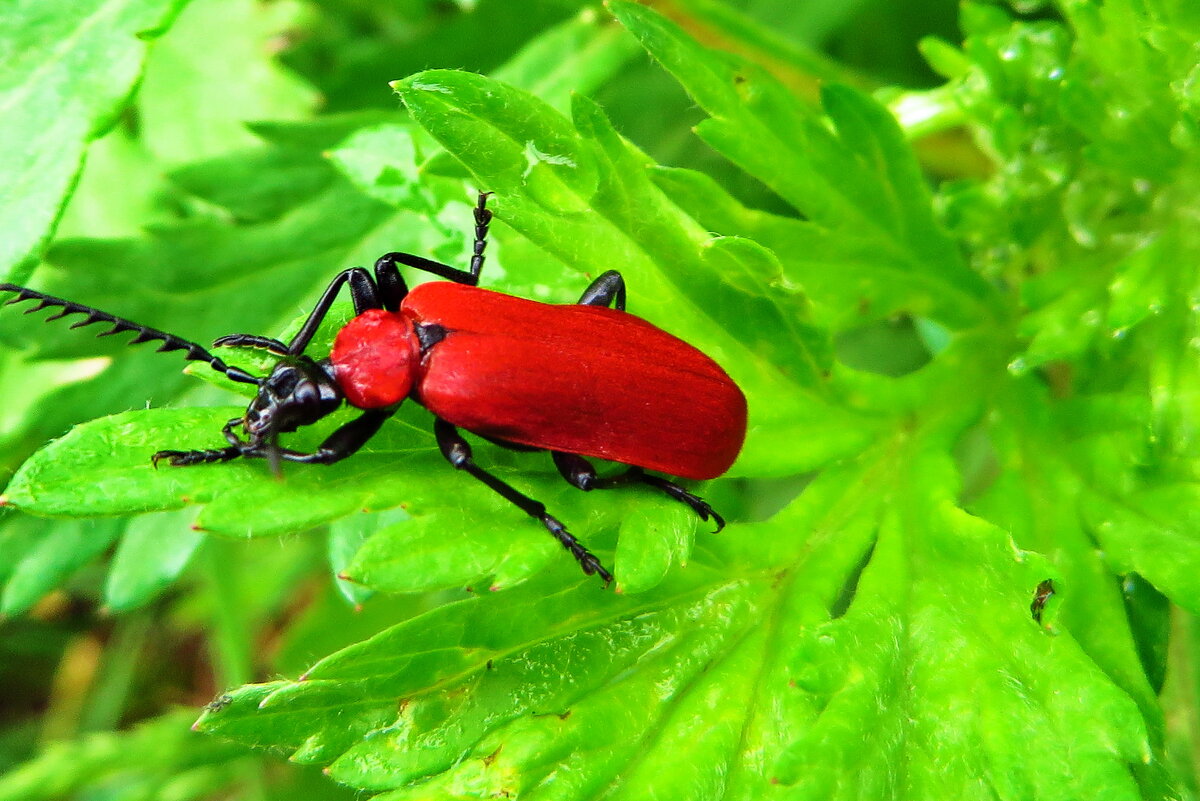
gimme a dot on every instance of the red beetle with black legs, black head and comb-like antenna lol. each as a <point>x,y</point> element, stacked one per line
<point>583,381</point>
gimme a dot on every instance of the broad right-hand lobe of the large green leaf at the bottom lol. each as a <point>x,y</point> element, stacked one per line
<point>976,672</point>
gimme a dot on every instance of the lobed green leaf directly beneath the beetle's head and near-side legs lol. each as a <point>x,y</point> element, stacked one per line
<point>104,468</point>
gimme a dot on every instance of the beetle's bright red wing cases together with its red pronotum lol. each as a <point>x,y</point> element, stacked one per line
<point>584,380</point>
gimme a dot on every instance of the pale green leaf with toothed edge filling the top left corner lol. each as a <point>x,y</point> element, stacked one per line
<point>68,73</point>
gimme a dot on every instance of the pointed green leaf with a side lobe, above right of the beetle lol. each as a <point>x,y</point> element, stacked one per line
<point>859,178</point>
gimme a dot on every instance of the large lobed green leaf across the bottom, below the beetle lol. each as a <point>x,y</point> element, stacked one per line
<point>730,683</point>
